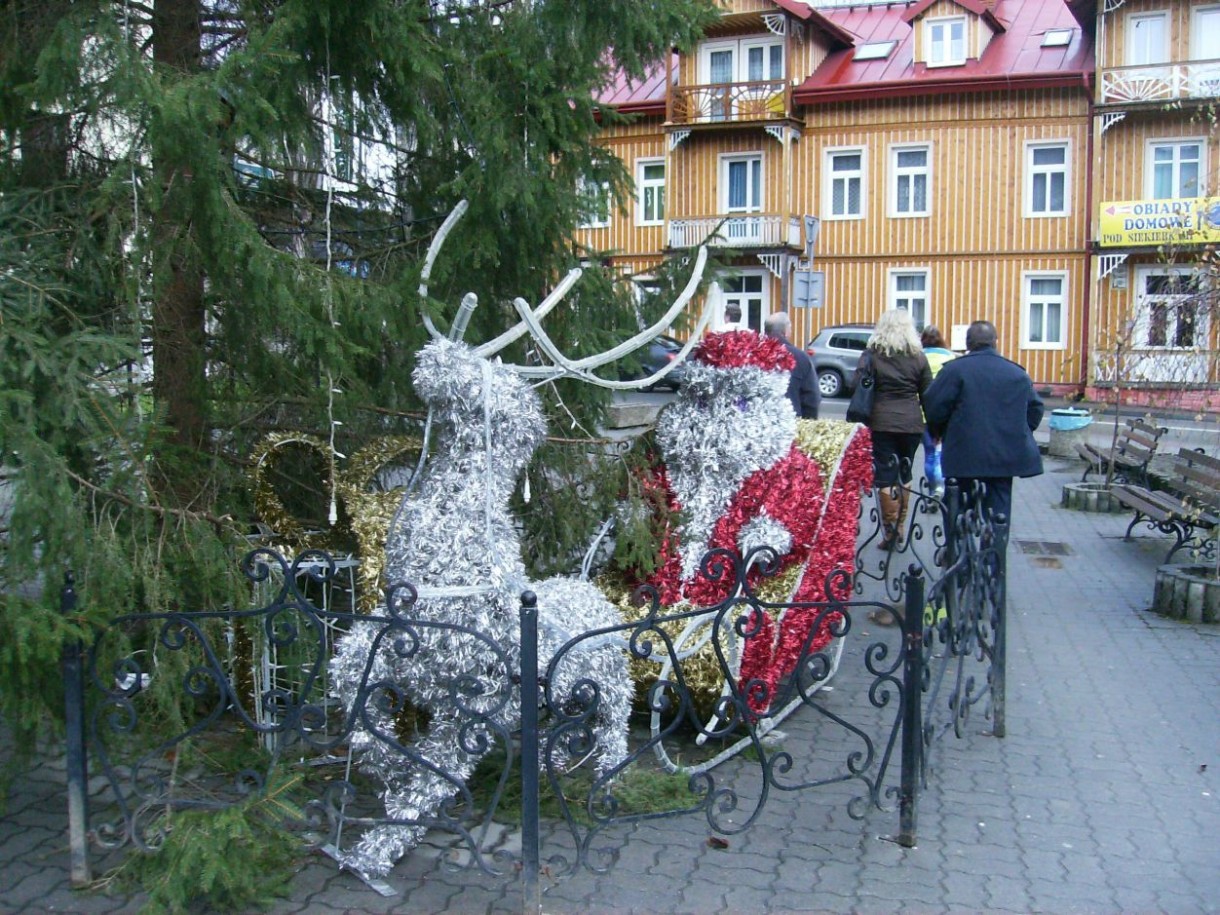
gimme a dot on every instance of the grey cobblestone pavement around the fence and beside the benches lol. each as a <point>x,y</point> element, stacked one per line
<point>1105,796</point>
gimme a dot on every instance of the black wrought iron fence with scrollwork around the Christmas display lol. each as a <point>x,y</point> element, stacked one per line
<point>170,713</point>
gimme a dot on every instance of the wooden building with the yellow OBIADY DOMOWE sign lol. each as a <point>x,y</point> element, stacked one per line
<point>1157,204</point>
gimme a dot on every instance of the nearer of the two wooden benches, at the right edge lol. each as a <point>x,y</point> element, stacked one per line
<point>1190,509</point>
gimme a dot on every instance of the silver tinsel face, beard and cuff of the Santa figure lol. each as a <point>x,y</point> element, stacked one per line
<point>725,425</point>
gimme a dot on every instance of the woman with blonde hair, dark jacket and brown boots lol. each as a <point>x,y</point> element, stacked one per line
<point>902,375</point>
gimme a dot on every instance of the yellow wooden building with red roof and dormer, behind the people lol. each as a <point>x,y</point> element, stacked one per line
<point>945,157</point>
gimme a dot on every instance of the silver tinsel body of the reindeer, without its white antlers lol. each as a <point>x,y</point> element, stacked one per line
<point>458,545</point>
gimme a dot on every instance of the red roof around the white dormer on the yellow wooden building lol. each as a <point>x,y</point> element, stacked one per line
<point>1014,58</point>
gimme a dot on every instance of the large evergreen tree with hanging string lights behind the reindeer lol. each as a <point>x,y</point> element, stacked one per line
<point>178,278</point>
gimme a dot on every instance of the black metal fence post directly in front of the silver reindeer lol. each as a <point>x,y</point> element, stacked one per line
<point>531,902</point>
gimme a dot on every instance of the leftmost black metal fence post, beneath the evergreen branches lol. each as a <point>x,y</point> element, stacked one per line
<point>75,748</point>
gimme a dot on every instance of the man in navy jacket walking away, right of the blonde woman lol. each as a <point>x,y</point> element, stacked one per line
<point>986,411</point>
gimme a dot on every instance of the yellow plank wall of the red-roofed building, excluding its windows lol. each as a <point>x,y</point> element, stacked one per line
<point>975,245</point>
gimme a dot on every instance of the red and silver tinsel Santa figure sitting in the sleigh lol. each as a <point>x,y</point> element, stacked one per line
<point>737,479</point>
